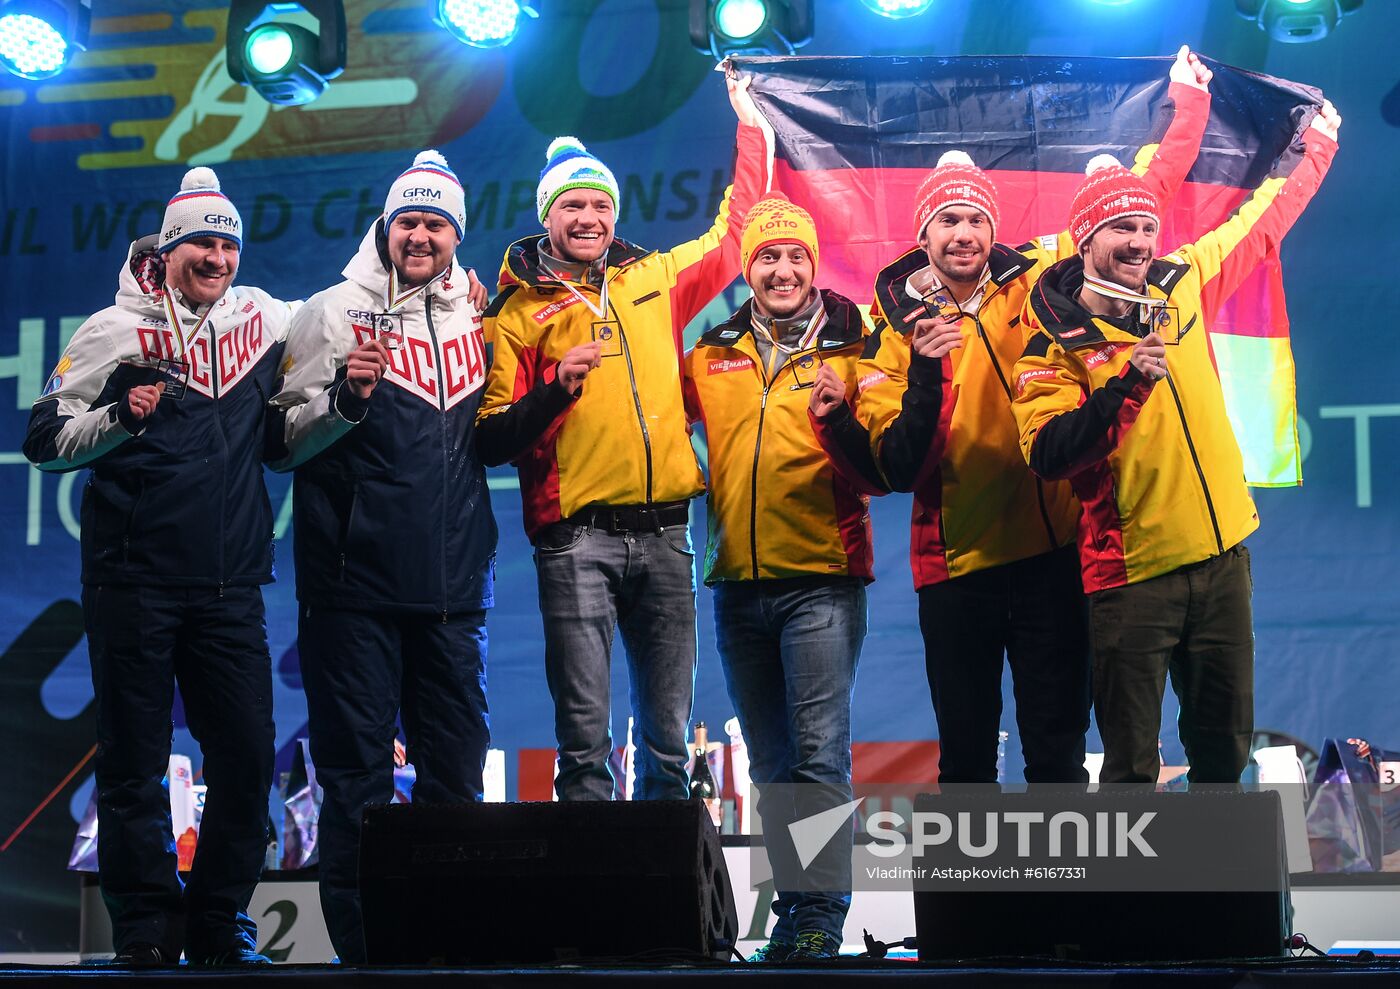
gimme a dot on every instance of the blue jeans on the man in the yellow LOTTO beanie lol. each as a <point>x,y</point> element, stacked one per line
<point>790,651</point>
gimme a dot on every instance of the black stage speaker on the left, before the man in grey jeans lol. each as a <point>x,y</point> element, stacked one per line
<point>484,885</point>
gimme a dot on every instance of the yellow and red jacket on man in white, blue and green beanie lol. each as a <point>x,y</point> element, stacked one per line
<point>625,441</point>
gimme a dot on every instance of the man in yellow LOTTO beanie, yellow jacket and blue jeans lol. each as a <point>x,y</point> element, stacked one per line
<point>789,554</point>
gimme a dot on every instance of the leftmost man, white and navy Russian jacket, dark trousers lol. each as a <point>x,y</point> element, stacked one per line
<point>164,396</point>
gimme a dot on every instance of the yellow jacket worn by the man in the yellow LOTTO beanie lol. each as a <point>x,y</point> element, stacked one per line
<point>778,505</point>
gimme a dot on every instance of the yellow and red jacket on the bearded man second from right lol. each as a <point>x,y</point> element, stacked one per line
<point>951,438</point>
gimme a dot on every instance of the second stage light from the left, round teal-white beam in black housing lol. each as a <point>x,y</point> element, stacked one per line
<point>283,61</point>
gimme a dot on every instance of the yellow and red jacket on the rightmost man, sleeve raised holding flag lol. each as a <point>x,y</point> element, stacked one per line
<point>1157,467</point>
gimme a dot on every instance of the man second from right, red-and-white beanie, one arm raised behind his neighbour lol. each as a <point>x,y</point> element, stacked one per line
<point>992,544</point>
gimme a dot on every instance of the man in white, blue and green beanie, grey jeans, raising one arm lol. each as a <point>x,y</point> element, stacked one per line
<point>584,399</point>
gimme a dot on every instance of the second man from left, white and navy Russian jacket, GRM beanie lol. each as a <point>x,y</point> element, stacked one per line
<point>394,533</point>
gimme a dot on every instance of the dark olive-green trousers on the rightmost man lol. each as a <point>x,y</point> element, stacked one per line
<point>1196,627</point>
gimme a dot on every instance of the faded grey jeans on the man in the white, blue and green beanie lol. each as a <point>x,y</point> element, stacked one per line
<point>593,582</point>
